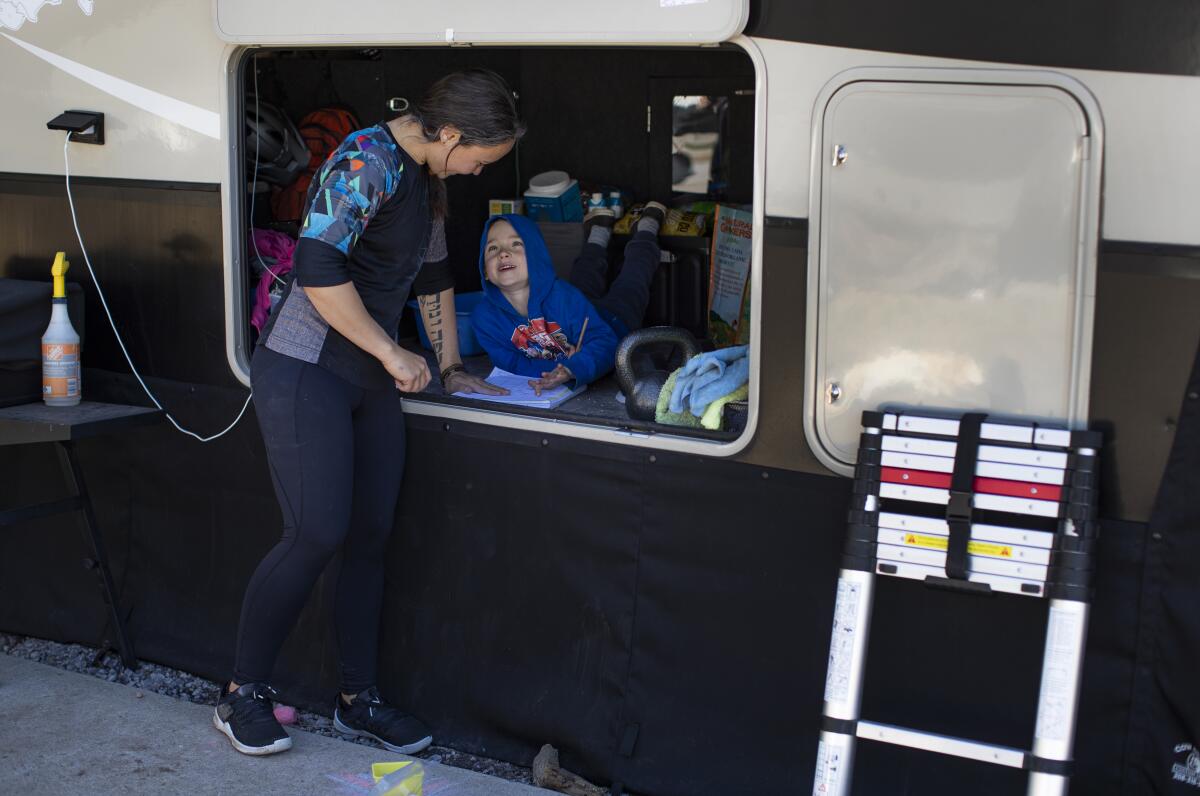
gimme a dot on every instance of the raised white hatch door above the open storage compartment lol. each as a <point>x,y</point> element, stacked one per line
<point>385,22</point>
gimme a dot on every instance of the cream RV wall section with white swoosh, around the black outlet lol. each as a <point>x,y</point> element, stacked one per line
<point>154,70</point>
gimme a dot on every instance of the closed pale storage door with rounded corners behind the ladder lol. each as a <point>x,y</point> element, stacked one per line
<point>950,260</point>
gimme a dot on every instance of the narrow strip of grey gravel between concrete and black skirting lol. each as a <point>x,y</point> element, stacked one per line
<point>181,685</point>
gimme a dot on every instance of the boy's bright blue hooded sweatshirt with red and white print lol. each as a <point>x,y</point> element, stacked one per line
<point>535,344</point>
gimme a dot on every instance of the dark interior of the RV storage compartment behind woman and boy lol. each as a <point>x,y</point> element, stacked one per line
<point>673,125</point>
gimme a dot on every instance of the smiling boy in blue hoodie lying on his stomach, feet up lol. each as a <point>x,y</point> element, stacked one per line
<point>531,322</point>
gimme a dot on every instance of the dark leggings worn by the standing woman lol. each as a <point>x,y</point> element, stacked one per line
<point>337,454</point>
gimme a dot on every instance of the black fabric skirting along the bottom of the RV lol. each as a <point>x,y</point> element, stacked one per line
<point>664,620</point>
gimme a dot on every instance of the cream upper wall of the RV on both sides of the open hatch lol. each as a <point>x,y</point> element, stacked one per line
<point>159,76</point>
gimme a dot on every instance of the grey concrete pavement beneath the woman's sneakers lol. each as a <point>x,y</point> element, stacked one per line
<point>62,733</point>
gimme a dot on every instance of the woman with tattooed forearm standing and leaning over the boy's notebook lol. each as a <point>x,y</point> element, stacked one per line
<point>326,379</point>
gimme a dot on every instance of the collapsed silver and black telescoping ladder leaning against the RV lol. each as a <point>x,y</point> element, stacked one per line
<point>1019,518</point>
